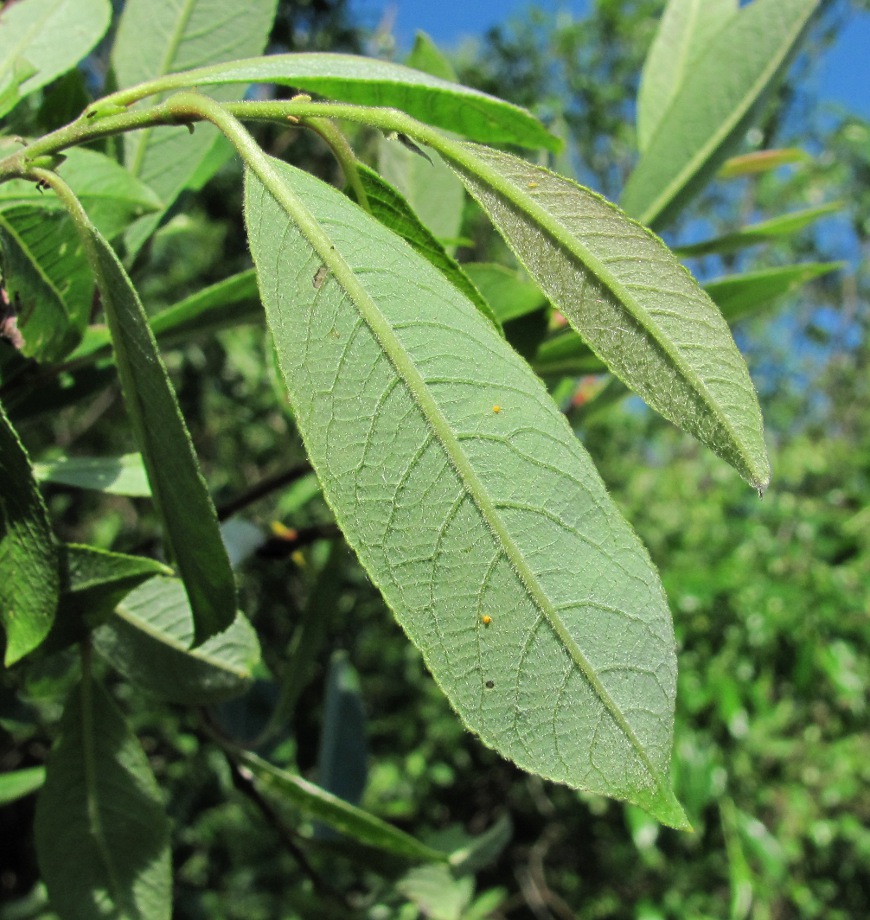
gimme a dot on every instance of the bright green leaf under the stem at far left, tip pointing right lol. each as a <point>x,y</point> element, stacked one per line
<point>110,195</point>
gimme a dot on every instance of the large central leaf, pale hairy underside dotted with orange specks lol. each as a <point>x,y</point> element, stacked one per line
<point>465,494</point>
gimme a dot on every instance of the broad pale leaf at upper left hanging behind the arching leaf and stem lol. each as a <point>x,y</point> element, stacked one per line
<point>159,37</point>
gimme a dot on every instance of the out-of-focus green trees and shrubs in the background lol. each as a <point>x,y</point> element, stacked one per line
<point>770,600</point>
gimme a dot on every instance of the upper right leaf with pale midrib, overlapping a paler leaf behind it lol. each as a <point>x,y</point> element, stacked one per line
<point>712,109</point>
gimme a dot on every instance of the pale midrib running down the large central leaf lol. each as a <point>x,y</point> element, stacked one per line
<point>409,374</point>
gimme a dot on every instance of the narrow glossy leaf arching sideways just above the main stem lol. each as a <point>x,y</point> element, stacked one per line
<point>374,83</point>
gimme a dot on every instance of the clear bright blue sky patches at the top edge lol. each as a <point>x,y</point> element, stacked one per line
<point>844,78</point>
